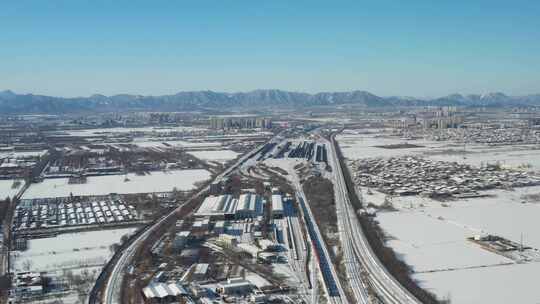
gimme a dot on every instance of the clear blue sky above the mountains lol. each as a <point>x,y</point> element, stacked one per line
<point>415,48</point>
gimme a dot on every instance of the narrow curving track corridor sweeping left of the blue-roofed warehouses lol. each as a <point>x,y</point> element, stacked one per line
<point>113,283</point>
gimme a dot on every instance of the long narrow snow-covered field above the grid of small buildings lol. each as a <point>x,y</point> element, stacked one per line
<point>157,181</point>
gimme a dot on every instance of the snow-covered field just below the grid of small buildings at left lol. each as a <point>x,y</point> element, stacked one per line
<point>66,251</point>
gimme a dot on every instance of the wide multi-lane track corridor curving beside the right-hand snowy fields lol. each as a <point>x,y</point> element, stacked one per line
<point>358,253</point>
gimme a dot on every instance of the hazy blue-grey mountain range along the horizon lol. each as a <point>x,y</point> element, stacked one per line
<point>12,103</point>
